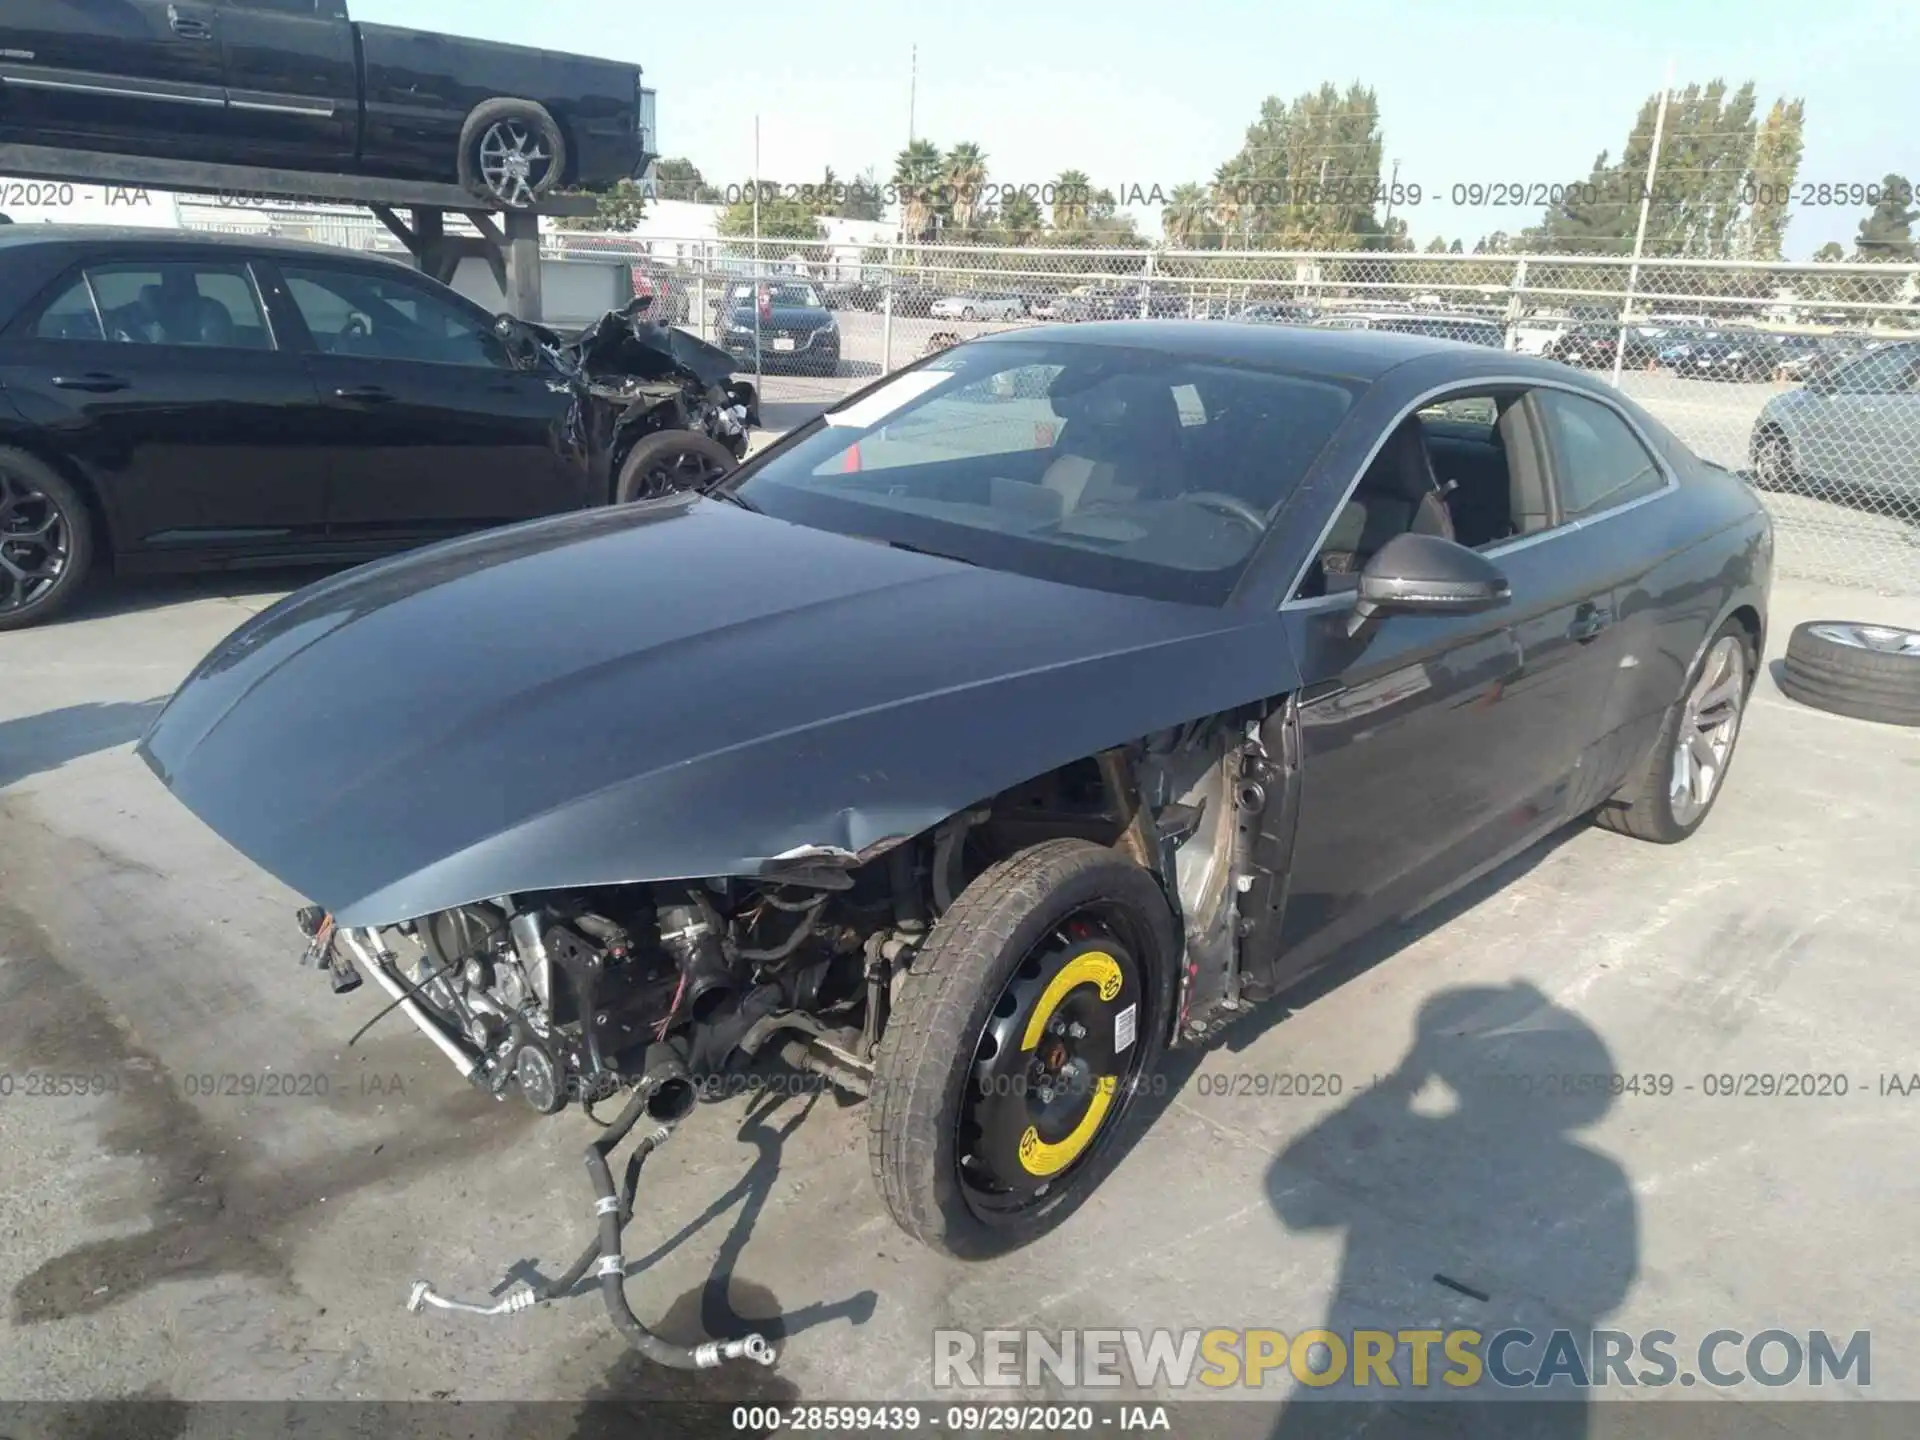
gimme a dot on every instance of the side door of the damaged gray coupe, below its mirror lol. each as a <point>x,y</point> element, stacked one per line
<point>1435,746</point>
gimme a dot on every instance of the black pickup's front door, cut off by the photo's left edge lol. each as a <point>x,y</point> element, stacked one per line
<point>114,76</point>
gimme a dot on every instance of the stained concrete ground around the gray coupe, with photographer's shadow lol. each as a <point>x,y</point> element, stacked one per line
<point>162,1234</point>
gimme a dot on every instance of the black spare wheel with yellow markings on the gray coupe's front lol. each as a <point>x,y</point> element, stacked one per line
<point>1019,1045</point>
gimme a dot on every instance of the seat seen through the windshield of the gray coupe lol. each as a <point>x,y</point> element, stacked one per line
<point>1122,443</point>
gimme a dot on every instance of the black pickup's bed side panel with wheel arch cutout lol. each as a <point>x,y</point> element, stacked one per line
<point>421,87</point>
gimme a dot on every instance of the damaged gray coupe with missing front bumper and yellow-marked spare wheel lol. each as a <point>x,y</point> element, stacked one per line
<point>1040,708</point>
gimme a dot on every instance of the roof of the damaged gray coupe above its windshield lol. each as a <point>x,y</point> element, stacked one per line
<point>1358,354</point>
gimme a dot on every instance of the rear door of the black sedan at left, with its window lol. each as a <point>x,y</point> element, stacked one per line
<point>162,379</point>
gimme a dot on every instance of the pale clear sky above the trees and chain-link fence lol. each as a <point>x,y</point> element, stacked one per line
<point>1141,95</point>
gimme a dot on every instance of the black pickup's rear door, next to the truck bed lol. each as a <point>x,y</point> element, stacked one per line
<point>293,82</point>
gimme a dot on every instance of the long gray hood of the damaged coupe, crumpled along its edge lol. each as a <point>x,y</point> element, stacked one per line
<point>660,692</point>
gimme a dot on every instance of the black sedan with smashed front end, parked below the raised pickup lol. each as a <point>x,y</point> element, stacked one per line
<point>181,400</point>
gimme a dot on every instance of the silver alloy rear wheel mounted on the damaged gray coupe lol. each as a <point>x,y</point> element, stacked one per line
<point>1687,771</point>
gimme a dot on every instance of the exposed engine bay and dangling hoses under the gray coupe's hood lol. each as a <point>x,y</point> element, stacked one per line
<point>667,990</point>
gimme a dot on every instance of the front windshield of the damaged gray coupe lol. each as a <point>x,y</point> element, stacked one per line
<point>1093,466</point>
